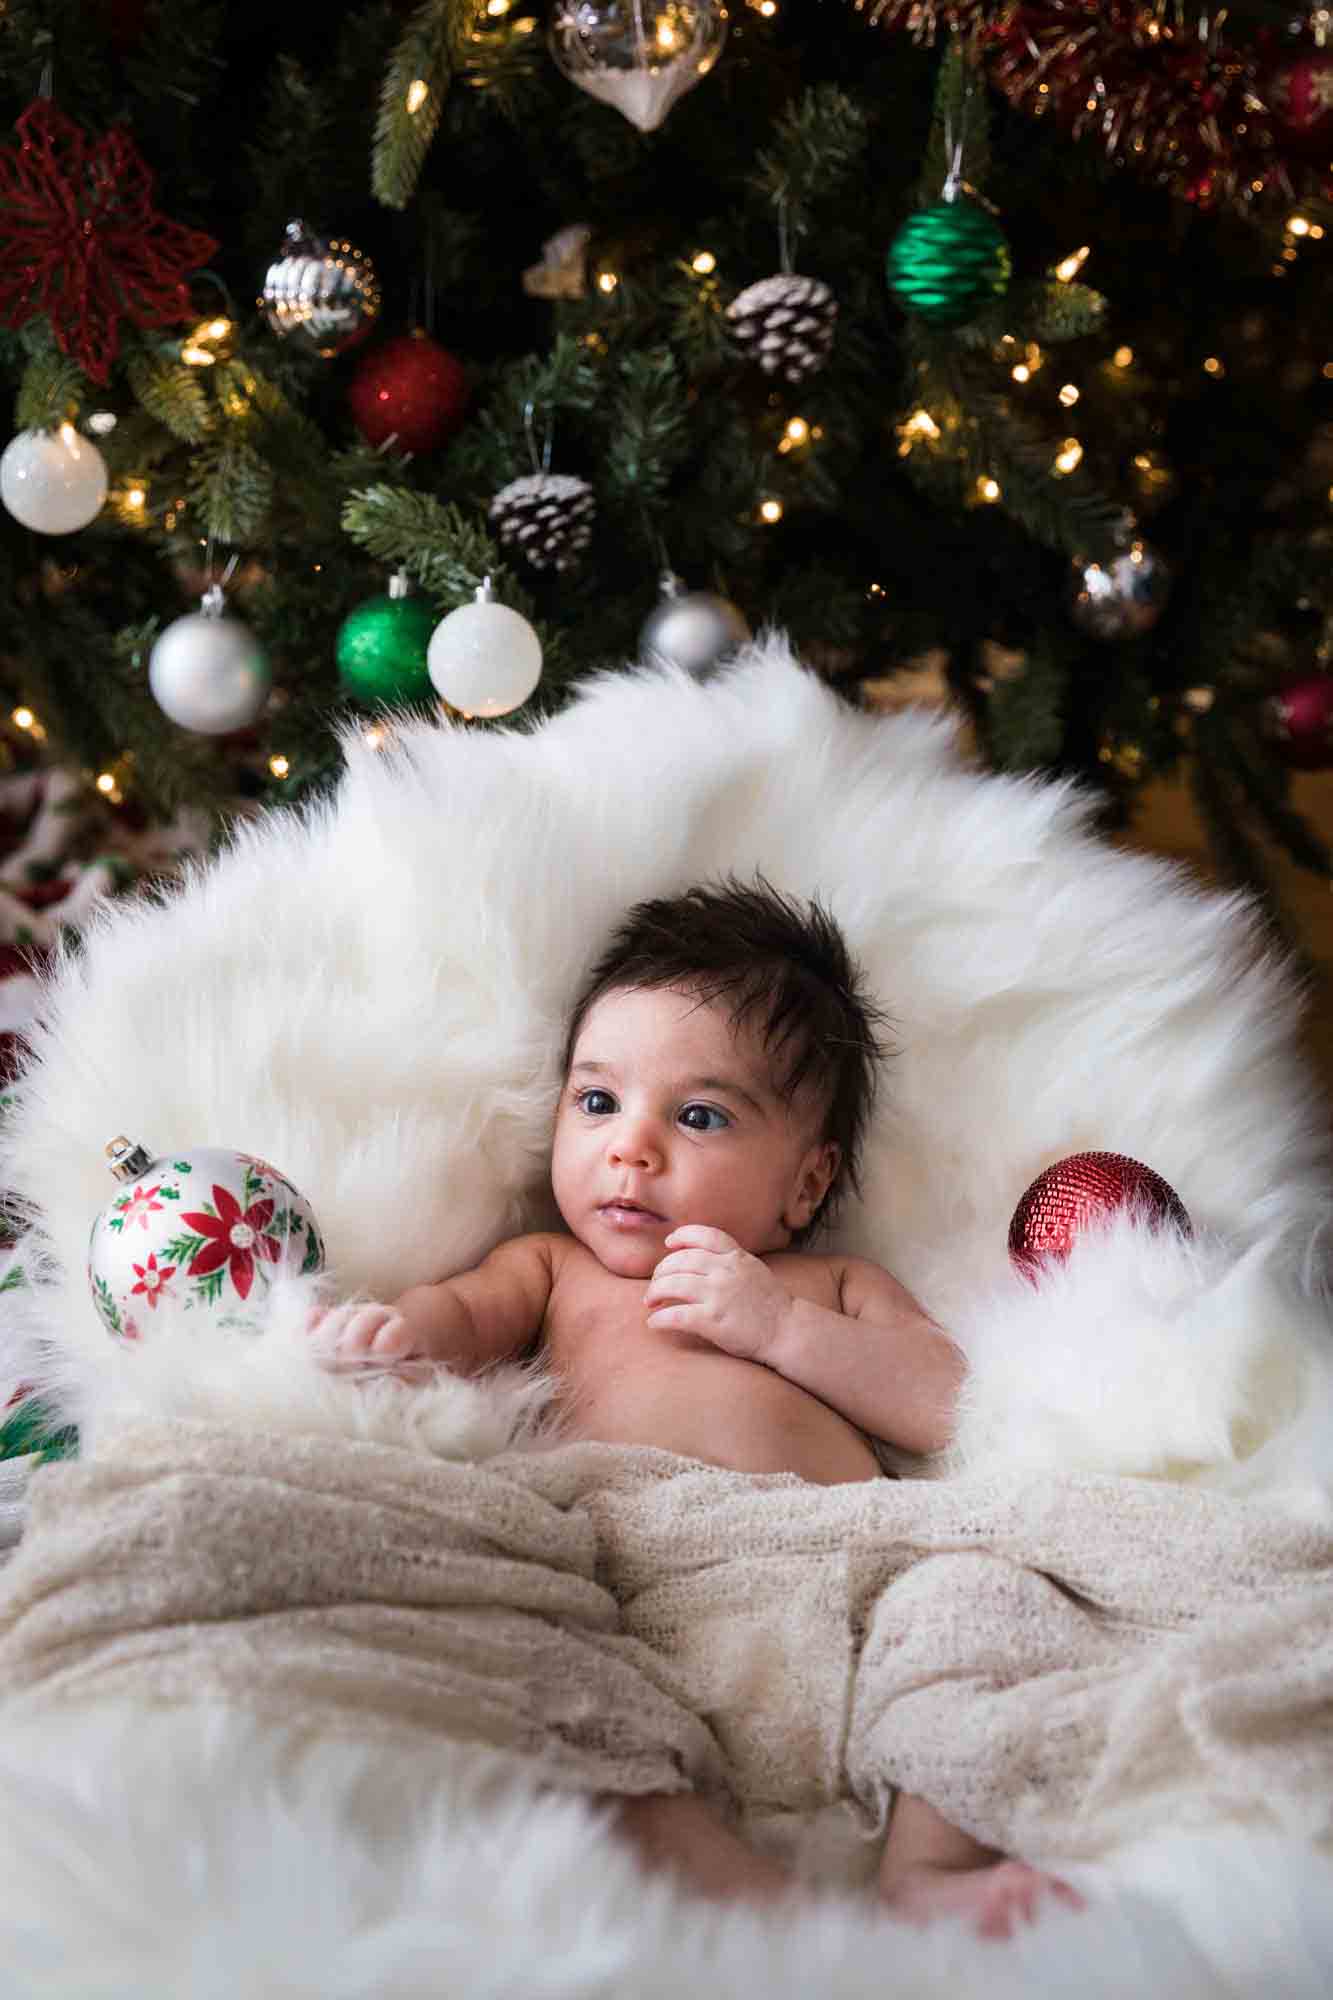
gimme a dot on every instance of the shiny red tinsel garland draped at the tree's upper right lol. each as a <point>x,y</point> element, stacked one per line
<point>1160,91</point>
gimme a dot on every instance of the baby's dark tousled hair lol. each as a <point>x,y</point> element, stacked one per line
<point>778,963</point>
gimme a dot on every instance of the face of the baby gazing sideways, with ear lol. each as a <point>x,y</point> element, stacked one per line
<point>670,1117</point>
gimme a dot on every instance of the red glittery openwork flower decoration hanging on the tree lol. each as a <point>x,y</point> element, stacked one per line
<point>83,241</point>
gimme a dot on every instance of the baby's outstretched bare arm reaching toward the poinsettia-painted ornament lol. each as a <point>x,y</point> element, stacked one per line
<point>481,1317</point>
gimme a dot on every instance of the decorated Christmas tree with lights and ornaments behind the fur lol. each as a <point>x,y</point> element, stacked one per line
<point>399,357</point>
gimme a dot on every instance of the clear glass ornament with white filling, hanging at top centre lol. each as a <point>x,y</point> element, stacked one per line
<point>637,55</point>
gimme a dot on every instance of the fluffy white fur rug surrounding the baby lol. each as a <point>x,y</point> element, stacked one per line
<point>371,999</point>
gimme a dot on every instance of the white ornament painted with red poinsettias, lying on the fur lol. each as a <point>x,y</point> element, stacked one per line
<point>203,1231</point>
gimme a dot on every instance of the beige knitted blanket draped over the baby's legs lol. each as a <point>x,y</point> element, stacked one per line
<point>1058,1665</point>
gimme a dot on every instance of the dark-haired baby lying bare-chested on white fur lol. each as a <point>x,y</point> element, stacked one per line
<point>720,1073</point>
